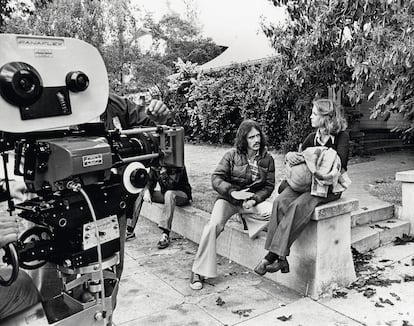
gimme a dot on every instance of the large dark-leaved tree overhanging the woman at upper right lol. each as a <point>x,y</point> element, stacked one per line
<point>357,45</point>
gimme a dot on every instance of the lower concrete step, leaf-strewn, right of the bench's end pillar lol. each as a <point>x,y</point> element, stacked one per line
<point>373,235</point>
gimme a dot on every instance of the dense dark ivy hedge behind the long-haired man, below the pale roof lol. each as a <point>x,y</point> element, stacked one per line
<point>214,104</point>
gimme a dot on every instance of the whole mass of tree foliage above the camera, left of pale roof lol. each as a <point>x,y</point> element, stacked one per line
<point>115,28</point>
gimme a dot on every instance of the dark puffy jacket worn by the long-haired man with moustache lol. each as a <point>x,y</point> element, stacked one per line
<point>233,173</point>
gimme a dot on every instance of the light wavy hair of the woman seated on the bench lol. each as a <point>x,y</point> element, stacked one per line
<point>331,115</point>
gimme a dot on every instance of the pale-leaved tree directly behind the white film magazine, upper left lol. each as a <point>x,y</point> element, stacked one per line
<point>108,26</point>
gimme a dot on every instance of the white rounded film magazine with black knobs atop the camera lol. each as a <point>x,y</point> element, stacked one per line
<point>49,82</point>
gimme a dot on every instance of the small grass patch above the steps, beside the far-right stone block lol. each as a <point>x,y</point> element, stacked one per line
<point>387,189</point>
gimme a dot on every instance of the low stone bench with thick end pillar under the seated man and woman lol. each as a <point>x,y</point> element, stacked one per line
<point>320,258</point>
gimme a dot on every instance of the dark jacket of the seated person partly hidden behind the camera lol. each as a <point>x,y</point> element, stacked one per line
<point>169,178</point>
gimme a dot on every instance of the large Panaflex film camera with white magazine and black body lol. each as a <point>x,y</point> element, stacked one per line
<point>79,175</point>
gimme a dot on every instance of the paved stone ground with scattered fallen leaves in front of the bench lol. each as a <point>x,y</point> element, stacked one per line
<point>155,290</point>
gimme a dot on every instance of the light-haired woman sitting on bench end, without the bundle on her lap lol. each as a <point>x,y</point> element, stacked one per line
<point>292,210</point>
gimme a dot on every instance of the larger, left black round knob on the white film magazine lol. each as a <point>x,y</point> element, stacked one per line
<point>20,84</point>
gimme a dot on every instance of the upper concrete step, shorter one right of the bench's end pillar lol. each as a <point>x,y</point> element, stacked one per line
<point>370,214</point>
